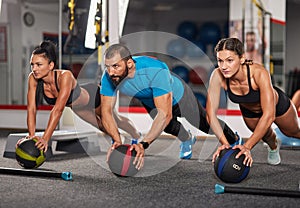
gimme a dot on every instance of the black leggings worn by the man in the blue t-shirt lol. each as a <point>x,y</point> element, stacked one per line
<point>190,108</point>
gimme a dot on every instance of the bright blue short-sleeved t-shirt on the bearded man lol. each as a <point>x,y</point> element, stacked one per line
<point>152,78</point>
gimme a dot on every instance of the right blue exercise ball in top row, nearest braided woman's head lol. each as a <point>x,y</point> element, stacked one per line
<point>210,33</point>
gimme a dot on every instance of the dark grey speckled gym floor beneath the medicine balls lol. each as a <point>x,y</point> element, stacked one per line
<point>164,182</point>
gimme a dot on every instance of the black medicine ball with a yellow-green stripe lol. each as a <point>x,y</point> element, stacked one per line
<point>28,155</point>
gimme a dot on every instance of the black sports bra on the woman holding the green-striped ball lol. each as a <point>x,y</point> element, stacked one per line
<point>73,95</point>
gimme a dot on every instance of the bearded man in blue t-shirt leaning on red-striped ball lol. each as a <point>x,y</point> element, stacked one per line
<point>165,96</point>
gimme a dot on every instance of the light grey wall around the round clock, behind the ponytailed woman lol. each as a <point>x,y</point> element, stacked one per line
<point>22,39</point>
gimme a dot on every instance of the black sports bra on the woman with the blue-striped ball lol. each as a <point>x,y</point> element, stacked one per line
<point>253,96</point>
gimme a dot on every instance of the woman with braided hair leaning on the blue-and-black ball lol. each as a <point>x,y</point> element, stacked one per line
<point>261,104</point>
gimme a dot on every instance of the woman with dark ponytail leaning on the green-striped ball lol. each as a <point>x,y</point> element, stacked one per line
<point>59,88</point>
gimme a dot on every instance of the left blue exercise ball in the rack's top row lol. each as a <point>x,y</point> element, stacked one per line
<point>188,30</point>
